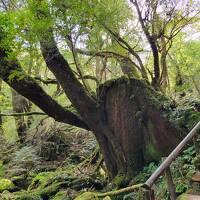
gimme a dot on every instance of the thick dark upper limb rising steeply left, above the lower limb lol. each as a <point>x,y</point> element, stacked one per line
<point>84,103</point>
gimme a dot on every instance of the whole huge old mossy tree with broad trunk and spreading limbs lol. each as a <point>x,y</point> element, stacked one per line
<point>129,118</point>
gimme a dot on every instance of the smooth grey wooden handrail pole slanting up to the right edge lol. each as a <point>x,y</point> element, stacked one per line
<point>172,156</point>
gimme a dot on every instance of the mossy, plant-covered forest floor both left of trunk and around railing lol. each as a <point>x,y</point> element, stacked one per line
<point>59,162</point>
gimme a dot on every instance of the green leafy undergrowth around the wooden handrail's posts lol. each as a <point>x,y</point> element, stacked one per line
<point>182,169</point>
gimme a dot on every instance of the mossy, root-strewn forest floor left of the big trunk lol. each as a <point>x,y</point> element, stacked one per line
<point>56,162</point>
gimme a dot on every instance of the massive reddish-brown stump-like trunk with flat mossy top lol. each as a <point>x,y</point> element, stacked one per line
<point>138,117</point>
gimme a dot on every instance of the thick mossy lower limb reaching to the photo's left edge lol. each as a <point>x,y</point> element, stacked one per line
<point>28,87</point>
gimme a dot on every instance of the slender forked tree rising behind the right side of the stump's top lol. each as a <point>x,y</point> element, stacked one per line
<point>161,22</point>
